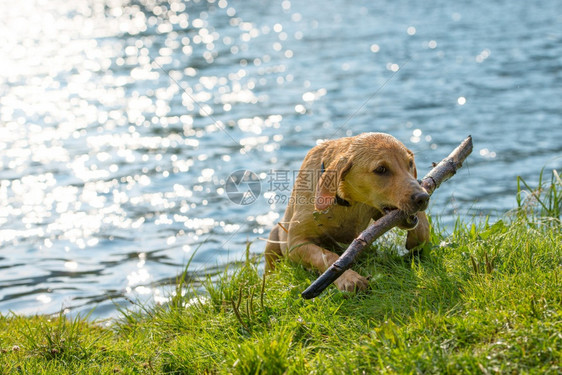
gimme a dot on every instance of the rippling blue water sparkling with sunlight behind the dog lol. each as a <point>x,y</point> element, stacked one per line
<point>120,122</point>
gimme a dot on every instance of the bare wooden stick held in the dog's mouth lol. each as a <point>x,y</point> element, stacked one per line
<point>440,173</point>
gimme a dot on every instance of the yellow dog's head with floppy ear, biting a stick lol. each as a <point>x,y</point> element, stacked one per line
<point>377,170</point>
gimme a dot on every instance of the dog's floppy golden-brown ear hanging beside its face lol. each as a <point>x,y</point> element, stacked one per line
<point>329,181</point>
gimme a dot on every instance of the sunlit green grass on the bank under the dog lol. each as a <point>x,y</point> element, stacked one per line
<point>485,299</point>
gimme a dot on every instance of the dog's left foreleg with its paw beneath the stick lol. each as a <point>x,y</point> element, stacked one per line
<point>318,258</point>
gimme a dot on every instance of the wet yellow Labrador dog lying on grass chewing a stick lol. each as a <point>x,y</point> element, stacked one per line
<point>341,186</point>
